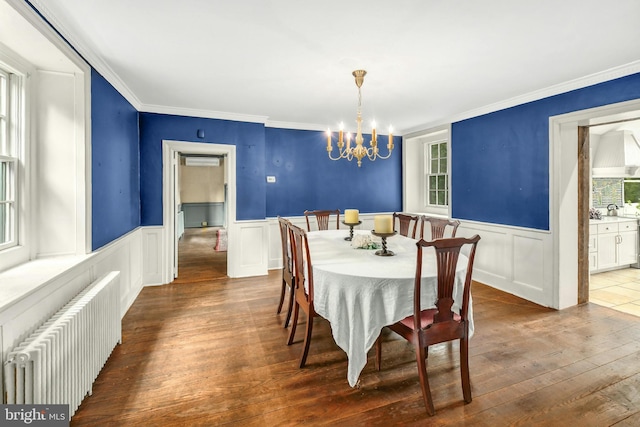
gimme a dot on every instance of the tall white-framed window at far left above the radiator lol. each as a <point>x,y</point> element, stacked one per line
<point>9,160</point>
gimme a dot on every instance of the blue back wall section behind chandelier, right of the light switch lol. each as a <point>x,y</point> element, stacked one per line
<point>307,179</point>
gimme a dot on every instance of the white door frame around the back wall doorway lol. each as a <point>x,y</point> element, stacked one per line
<point>170,149</point>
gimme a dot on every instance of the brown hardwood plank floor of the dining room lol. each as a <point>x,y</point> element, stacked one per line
<point>212,352</point>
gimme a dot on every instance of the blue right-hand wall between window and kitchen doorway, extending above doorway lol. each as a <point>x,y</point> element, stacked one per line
<point>500,161</point>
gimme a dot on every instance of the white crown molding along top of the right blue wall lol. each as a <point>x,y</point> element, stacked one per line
<point>579,83</point>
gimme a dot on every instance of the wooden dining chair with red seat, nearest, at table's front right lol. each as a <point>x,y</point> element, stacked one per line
<point>440,324</point>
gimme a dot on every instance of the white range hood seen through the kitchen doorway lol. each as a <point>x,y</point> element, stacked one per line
<point>617,155</point>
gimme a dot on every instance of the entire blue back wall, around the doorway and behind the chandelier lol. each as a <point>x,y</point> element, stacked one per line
<point>306,178</point>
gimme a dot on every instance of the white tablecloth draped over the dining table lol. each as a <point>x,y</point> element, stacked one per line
<point>360,292</point>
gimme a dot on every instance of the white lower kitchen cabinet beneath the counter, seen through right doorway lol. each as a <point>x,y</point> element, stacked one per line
<point>615,245</point>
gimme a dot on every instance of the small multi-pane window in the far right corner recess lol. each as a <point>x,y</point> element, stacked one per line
<point>437,177</point>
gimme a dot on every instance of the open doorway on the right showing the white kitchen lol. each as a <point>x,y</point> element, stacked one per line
<point>614,270</point>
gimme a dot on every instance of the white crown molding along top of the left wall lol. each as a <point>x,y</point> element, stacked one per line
<point>86,52</point>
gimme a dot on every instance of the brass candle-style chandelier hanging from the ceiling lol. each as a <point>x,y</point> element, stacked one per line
<point>359,151</point>
